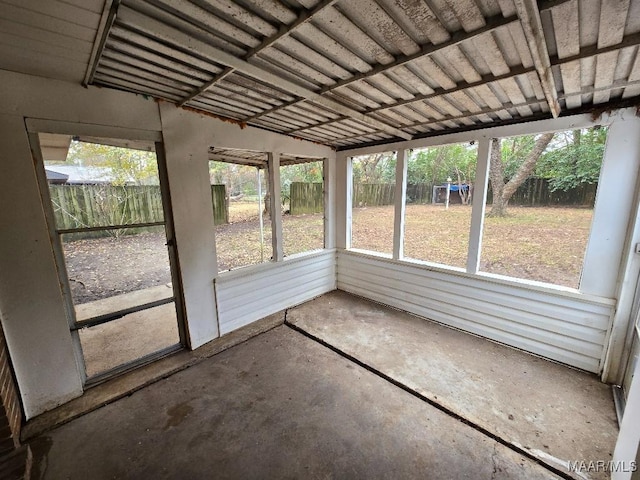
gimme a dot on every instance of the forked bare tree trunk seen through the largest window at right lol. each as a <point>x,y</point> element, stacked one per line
<point>503,191</point>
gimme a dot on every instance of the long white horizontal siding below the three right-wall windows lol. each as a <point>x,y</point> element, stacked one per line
<point>558,326</point>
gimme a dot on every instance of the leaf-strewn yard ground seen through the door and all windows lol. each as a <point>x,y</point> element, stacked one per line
<point>544,244</point>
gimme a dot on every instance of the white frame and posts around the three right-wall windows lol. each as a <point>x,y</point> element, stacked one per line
<point>589,280</point>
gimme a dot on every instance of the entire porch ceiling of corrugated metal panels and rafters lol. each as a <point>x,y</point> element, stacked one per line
<point>340,72</point>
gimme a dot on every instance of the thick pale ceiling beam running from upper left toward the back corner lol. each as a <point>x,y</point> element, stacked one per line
<point>171,35</point>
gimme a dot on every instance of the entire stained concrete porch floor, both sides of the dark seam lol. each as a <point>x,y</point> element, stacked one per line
<point>283,405</point>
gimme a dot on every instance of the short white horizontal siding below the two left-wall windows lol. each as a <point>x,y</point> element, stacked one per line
<point>245,296</point>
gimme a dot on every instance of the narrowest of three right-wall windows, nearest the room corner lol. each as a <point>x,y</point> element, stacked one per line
<point>373,196</point>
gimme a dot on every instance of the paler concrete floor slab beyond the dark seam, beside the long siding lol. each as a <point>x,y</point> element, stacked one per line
<point>553,412</point>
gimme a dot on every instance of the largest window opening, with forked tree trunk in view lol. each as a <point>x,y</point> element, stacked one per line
<point>541,198</point>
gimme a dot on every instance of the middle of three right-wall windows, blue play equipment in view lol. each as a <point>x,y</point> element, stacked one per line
<point>440,183</point>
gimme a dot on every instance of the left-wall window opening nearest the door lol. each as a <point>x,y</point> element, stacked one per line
<point>240,196</point>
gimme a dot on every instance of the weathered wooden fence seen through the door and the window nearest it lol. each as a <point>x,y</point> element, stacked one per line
<point>82,206</point>
